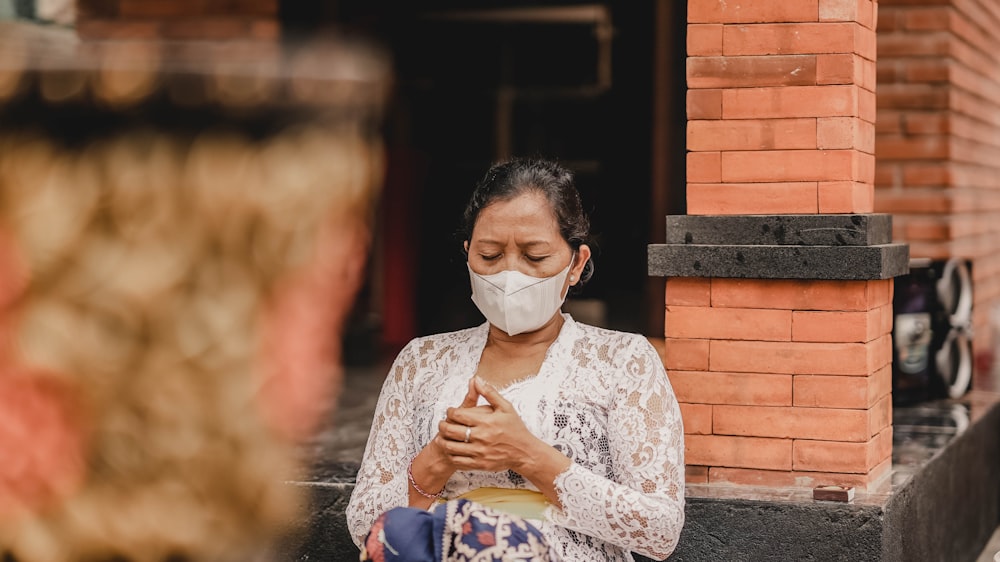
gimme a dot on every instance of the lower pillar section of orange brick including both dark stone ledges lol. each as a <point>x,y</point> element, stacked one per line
<point>779,346</point>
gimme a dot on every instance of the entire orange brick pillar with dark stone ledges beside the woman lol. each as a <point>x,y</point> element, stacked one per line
<point>779,290</point>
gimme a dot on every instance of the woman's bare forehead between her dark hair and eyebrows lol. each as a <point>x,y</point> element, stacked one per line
<point>530,212</point>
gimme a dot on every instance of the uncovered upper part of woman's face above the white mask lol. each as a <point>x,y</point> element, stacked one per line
<point>522,234</point>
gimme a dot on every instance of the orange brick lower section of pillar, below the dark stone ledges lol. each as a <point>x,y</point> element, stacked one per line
<point>782,382</point>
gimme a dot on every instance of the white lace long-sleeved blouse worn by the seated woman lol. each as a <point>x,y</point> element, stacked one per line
<point>601,397</point>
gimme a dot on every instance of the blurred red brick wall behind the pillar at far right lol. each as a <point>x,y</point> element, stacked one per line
<point>938,137</point>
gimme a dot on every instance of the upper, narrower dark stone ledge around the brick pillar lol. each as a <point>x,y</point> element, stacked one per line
<point>780,230</point>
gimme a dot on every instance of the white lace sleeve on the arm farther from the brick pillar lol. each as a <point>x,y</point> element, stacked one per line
<point>381,482</point>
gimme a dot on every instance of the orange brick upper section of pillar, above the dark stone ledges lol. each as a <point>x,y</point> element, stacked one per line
<point>781,107</point>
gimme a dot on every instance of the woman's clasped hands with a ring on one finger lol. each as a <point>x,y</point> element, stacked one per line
<point>490,437</point>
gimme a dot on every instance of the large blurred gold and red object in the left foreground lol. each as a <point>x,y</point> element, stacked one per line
<point>183,229</point>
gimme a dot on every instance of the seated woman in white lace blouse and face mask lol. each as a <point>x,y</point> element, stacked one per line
<point>535,427</point>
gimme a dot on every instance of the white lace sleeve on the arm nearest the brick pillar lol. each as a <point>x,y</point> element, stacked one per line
<point>641,507</point>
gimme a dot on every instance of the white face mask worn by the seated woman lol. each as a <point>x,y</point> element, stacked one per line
<point>515,302</point>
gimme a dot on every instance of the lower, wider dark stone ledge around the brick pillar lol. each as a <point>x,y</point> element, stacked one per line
<point>883,261</point>
